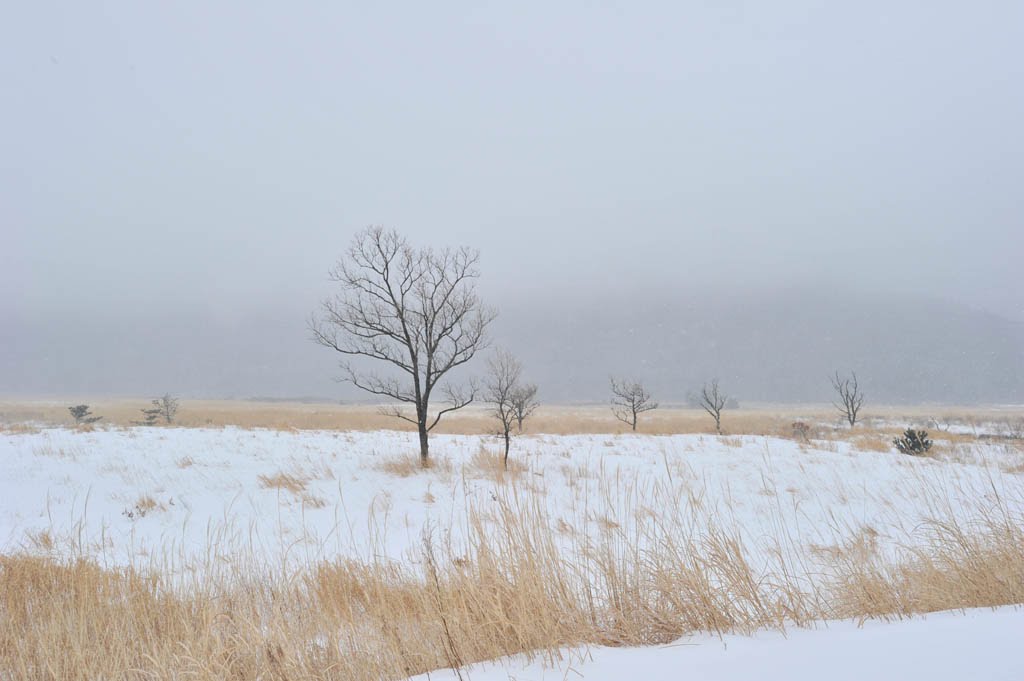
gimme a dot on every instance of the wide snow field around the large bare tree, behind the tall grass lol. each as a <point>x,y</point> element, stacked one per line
<point>206,491</point>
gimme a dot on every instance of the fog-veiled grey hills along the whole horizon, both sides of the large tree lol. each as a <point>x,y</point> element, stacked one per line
<point>771,348</point>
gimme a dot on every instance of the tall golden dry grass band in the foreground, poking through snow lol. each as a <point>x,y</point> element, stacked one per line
<point>513,584</point>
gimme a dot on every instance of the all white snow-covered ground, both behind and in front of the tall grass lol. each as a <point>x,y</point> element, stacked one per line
<point>149,494</point>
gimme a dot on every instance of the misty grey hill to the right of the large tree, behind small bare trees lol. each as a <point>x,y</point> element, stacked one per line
<point>779,348</point>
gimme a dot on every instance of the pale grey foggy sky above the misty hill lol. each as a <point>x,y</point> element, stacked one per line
<point>201,167</point>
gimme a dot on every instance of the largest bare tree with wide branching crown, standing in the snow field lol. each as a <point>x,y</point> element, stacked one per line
<point>413,311</point>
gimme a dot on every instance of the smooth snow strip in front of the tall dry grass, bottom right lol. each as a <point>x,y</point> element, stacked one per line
<point>942,647</point>
